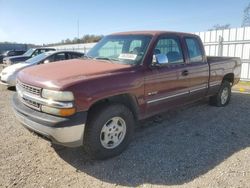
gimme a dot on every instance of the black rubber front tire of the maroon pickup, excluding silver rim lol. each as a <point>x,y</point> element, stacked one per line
<point>96,121</point>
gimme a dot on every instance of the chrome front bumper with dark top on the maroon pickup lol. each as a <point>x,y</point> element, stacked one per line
<point>63,131</point>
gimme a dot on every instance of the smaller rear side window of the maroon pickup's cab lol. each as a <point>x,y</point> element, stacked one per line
<point>194,50</point>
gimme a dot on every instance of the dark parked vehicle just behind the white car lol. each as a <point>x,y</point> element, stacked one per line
<point>27,55</point>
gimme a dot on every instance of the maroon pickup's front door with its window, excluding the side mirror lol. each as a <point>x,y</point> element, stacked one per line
<point>166,85</point>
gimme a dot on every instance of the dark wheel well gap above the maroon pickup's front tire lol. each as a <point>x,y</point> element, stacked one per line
<point>125,99</point>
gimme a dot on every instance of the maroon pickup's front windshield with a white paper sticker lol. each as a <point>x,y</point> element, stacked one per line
<point>123,49</point>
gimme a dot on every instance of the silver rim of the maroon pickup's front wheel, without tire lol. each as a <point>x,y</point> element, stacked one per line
<point>113,132</point>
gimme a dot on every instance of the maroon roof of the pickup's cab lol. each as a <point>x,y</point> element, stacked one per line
<point>157,32</point>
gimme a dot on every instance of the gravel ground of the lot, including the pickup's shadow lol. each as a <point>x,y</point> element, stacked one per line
<point>195,146</point>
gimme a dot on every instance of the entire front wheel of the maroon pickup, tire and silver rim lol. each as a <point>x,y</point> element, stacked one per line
<point>108,131</point>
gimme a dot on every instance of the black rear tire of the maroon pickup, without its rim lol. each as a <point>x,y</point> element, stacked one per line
<point>217,99</point>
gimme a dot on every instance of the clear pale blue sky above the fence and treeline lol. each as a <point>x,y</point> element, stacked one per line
<point>45,21</point>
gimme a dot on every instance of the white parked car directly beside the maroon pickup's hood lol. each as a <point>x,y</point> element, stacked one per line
<point>9,74</point>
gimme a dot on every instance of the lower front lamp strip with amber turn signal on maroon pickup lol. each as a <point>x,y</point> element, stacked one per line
<point>58,111</point>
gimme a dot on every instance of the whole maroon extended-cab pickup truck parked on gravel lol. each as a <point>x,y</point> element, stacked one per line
<point>95,101</point>
